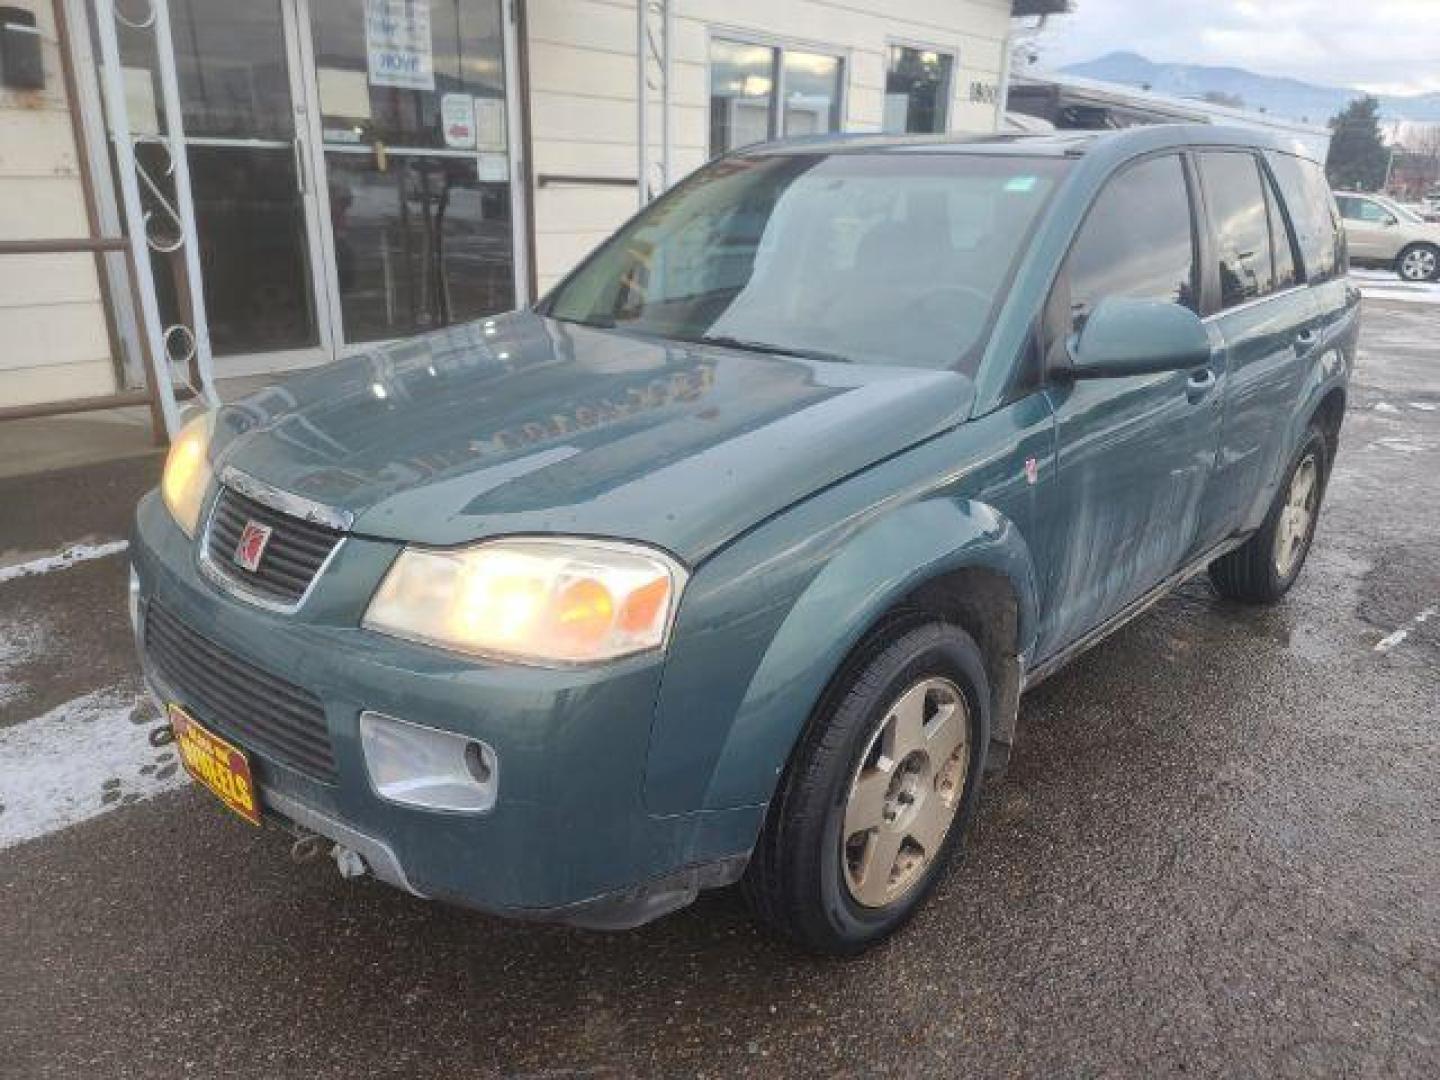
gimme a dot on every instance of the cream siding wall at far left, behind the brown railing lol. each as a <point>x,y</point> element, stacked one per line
<point>54,343</point>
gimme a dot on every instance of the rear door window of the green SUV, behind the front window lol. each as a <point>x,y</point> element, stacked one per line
<point>1236,204</point>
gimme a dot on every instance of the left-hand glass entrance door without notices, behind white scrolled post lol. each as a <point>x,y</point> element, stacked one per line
<point>256,214</point>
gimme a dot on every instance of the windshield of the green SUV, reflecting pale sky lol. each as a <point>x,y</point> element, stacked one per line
<point>896,258</point>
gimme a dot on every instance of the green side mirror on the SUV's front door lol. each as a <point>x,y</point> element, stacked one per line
<point>1125,338</point>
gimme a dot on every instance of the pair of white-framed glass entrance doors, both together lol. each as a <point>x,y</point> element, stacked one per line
<point>351,166</point>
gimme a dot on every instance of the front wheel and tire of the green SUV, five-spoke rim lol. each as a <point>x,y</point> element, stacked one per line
<point>839,895</point>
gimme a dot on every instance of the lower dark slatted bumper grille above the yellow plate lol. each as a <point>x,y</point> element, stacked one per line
<point>258,711</point>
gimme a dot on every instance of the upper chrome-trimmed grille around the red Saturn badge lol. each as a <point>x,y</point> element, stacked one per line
<point>293,558</point>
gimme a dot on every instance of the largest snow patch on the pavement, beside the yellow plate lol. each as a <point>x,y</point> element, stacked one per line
<point>81,760</point>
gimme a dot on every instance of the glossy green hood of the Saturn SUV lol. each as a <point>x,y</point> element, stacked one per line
<point>522,424</point>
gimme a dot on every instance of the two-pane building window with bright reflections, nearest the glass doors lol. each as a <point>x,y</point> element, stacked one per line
<point>748,81</point>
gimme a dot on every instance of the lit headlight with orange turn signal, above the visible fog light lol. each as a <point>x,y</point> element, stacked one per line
<point>532,600</point>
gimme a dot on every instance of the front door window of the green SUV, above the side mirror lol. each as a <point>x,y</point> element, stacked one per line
<point>1137,241</point>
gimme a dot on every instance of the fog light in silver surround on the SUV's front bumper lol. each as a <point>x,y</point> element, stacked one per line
<point>424,767</point>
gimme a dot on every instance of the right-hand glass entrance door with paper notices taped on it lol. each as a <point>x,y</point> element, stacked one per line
<point>410,130</point>
